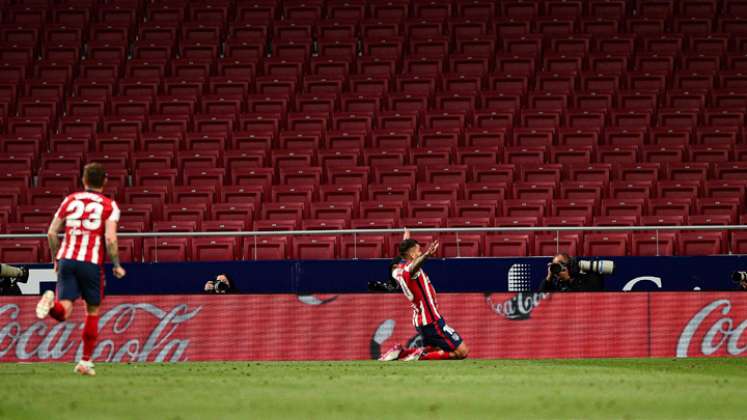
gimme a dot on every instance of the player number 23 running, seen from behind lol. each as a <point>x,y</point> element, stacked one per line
<point>90,222</point>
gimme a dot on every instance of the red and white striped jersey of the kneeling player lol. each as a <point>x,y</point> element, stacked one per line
<point>419,291</point>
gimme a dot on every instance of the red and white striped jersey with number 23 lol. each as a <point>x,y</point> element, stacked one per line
<point>84,214</point>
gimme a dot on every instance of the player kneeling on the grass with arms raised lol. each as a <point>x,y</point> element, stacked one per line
<point>440,341</point>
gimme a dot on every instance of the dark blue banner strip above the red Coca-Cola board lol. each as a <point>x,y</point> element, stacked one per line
<point>447,275</point>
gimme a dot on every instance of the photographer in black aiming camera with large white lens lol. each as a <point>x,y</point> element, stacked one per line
<point>568,274</point>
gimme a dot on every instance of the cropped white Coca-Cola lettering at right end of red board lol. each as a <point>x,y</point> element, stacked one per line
<point>724,330</point>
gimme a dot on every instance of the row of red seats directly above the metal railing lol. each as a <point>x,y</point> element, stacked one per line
<point>436,213</point>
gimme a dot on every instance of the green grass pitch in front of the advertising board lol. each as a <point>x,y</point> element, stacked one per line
<point>469,389</point>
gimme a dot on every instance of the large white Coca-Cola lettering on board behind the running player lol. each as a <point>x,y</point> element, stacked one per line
<point>119,339</point>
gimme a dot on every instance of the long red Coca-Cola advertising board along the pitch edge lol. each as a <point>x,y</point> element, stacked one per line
<point>361,326</point>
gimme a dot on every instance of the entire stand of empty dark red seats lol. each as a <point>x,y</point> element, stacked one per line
<point>281,114</point>
